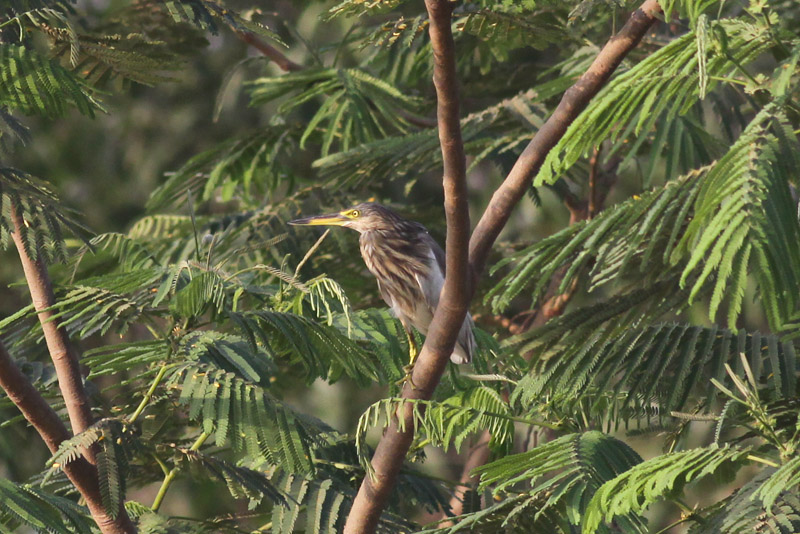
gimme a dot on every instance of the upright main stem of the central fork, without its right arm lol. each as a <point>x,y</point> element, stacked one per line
<point>452,308</point>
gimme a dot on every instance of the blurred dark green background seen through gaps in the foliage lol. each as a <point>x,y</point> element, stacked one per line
<point>106,168</point>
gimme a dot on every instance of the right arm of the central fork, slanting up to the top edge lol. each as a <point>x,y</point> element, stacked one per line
<point>572,103</point>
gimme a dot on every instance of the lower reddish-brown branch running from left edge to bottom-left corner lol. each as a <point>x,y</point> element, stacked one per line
<point>47,423</point>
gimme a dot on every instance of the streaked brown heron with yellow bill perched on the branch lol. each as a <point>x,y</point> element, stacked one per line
<point>409,266</point>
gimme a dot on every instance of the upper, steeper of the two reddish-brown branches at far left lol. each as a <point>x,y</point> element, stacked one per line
<point>65,360</point>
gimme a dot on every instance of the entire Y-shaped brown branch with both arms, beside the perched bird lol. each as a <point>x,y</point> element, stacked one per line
<point>458,288</point>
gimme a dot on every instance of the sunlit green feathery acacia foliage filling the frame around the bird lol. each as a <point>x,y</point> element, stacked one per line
<point>686,309</point>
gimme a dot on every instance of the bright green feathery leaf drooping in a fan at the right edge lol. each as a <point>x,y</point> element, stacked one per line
<point>744,210</point>
